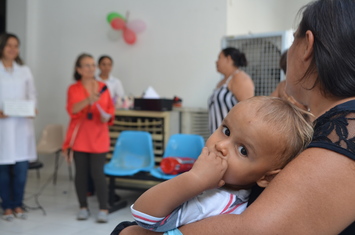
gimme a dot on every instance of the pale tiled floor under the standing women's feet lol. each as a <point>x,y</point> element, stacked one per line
<point>60,204</point>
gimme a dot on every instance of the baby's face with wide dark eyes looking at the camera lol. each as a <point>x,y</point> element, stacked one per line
<point>248,144</point>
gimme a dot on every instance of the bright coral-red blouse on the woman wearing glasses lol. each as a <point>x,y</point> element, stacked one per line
<point>84,134</point>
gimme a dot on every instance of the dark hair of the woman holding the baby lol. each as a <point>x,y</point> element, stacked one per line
<point>332,23</point>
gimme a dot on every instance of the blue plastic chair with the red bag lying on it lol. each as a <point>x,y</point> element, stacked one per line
<point>180,145</point>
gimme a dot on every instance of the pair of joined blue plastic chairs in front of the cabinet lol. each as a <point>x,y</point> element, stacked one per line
<point>134,153</point>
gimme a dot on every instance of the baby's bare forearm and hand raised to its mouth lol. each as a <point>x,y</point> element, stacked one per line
<point>162,199</point>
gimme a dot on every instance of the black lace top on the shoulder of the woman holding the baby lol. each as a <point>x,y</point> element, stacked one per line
<point>335,130</point>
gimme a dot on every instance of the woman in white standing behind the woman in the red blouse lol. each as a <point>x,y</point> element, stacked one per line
<point>114,84</point>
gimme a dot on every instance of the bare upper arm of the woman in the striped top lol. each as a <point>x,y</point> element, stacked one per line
<point>242,86</point>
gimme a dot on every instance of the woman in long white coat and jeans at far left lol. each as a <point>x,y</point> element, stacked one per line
<point>17,140</point>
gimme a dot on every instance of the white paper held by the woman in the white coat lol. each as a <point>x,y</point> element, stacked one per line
<point>19,108</point>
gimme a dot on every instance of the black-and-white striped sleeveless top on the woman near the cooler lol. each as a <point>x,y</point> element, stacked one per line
<point>220,102</point>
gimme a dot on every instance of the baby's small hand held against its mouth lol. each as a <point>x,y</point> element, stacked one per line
<point>209,169</point>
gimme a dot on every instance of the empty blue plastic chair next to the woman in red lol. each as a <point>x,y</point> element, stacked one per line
<point>133,153</point>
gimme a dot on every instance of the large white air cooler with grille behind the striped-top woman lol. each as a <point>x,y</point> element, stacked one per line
<point>263,52</point>
